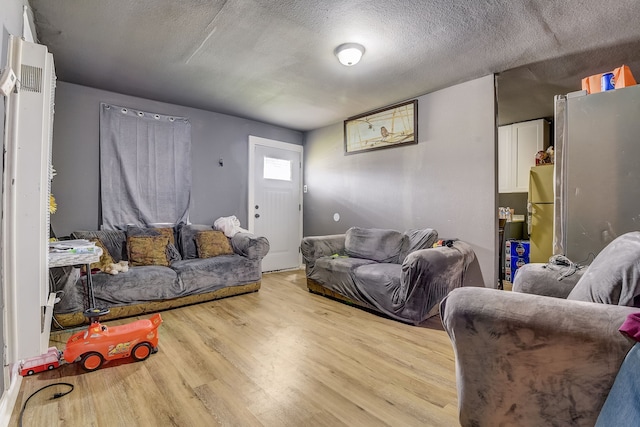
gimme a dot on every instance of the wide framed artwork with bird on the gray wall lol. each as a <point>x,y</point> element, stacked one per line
<point>387,127</point>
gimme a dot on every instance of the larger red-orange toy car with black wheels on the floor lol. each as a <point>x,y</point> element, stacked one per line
<point>100,343</point>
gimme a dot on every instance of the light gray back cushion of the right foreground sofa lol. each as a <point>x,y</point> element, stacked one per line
<point>614,275</point>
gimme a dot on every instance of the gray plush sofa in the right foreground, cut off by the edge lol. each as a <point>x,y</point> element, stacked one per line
<point>548,356</point>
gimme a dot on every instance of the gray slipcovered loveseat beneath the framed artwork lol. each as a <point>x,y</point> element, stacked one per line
<point>400,275</point>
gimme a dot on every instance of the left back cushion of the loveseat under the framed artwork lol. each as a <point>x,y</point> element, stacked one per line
<point>374,244</point>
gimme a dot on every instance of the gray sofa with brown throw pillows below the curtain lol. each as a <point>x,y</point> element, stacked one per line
<point>168,267</point>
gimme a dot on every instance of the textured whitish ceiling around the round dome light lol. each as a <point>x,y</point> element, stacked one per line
<point>273,61</point>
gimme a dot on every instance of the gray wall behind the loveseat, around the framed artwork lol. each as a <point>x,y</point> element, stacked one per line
<point>447,181</point>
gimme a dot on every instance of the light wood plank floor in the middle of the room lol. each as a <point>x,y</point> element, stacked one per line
<point>278,357</point>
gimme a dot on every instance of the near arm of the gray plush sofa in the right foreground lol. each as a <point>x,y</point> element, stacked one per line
<point>530,360</point>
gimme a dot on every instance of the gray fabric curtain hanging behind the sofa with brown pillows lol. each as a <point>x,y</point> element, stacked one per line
<point>145,167</point>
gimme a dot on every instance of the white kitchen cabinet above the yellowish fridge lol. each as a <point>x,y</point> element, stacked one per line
<point>518,144</point>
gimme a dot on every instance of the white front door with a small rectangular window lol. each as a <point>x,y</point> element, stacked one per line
<point>275,200</point>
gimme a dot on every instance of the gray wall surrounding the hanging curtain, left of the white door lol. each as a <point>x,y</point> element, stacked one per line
<point>216,191</point>
